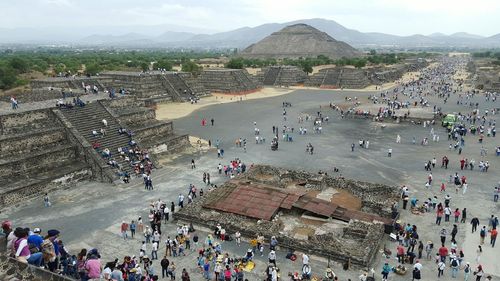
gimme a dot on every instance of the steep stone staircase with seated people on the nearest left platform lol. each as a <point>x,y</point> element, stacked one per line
<point>88,118</point>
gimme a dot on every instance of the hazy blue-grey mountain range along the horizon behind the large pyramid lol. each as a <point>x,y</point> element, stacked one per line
<point>154,37</point>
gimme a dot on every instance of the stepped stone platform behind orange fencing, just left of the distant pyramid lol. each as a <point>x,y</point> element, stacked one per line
<point>227,81</point>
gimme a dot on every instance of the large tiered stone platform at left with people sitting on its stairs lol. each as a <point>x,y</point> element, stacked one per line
<point>47,148</point>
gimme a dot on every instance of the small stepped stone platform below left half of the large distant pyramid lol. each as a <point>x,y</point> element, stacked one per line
<point>281,76</point>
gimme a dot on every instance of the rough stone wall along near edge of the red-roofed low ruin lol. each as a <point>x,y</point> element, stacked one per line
<point>359,250</point>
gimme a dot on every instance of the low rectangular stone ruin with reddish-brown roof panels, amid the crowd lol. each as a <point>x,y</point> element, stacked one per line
<point>331,217</point>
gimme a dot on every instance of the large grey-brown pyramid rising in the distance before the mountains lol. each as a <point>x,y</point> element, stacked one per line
<point>299,40</point>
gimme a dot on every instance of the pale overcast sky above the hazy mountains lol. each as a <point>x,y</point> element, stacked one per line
<point>399,17</point>
